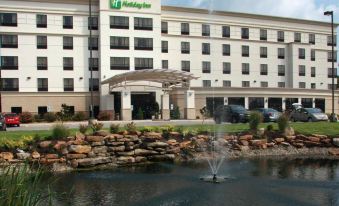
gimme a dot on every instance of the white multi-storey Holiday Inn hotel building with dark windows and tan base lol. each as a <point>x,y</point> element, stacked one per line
<point>252,60</point>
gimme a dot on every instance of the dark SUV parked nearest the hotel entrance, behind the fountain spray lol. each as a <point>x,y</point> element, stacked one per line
<point>231,113</point>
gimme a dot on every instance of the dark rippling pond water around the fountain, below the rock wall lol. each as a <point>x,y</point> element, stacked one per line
<point>255,182</point>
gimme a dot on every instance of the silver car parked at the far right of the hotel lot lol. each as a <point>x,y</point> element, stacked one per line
<point>308,115</point>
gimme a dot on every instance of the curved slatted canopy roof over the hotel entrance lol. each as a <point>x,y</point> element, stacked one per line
<point>168,78</point>
